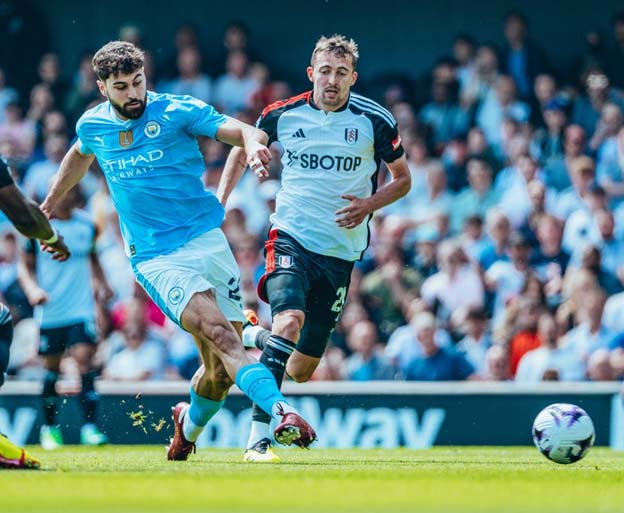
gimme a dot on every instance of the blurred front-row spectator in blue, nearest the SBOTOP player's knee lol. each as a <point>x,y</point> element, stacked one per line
<point>367,363</point>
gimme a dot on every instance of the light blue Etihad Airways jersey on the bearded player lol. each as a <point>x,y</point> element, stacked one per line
<point>153,167</point>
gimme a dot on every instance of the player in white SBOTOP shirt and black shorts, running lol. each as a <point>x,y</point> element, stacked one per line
<point>333,142</point>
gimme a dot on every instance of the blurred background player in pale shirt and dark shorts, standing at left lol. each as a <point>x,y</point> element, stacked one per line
<point>64,306</point>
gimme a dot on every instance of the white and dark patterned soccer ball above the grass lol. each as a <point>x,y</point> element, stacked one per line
<point>563,433</point>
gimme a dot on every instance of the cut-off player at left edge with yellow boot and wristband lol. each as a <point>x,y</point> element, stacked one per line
<point>31,222</point>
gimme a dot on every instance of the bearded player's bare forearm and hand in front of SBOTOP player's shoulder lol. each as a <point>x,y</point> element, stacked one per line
<point>252,139</point>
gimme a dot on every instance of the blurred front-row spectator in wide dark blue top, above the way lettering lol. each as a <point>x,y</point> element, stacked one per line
<point>435,363</point>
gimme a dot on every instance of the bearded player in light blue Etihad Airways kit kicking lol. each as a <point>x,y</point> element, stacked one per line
<point>146,145</point>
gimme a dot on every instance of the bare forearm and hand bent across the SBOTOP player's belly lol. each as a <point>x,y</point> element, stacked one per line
<point>359,208</point>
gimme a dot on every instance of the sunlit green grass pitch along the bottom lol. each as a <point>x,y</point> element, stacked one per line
<point>137,479</point>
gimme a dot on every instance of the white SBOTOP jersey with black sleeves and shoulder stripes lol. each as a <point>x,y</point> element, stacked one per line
<point>327,155</point>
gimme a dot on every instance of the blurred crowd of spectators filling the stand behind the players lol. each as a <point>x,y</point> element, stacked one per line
<point>504,262</point>
